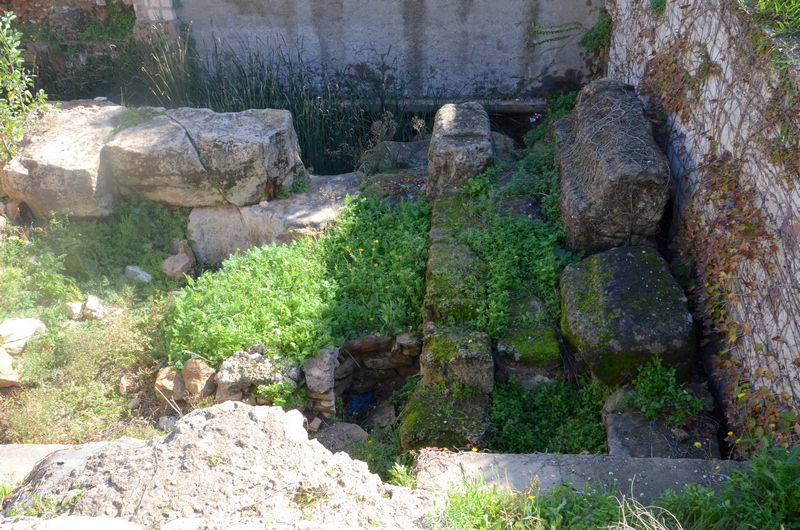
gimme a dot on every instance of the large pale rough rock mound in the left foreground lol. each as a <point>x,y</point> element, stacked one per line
<point>227,461</point>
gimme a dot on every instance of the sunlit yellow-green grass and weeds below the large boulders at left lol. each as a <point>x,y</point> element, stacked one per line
<point>71,376</point>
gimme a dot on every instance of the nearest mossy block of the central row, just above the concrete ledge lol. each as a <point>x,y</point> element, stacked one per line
<point>434,417</point>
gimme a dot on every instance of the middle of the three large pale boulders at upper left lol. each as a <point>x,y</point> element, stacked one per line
<point>158,160</point>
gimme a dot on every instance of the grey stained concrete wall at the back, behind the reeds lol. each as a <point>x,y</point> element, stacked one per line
<point>457,47</point>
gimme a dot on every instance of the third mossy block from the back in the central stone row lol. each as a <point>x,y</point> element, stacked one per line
<point>455,285</point>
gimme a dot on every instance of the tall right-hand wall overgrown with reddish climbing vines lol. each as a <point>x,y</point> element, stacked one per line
<point>733,150</point>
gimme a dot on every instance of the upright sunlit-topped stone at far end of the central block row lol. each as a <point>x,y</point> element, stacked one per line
<point>461,147</point>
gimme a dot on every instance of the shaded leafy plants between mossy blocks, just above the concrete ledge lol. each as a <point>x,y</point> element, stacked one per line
<point>552,418</point>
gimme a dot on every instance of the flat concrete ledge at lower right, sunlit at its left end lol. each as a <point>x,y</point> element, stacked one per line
<point>641,478</point>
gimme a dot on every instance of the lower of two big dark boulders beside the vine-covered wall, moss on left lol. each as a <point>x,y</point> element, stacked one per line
<point>622,308</point>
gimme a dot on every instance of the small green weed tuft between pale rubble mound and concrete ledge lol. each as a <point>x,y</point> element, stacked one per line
<point>385,457</point>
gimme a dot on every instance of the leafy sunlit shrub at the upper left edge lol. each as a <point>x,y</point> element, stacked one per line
<point>18,104</point>
